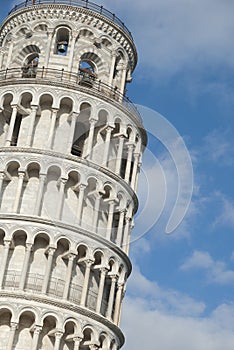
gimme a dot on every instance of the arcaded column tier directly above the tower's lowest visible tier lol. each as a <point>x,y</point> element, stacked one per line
<point>92,279</point>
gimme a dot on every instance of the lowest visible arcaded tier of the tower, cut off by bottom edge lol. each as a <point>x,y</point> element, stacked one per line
<point>36,327</point>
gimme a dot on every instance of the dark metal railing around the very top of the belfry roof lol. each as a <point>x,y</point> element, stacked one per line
<point>79,3</point>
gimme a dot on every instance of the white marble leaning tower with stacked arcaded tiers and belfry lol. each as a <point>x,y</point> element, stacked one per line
<point>70,151</point>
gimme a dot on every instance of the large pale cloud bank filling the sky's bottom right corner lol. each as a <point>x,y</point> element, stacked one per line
<point>156,318</point>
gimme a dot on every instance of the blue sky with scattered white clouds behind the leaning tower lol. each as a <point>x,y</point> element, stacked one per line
<point>181,292</point>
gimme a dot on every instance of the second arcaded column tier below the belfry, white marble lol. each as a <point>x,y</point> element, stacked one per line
<point>74,193</point>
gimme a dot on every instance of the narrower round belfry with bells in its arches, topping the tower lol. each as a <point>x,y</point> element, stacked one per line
<point>65,36</point>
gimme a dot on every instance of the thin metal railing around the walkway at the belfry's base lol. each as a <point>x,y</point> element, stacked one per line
<point>80,79</point>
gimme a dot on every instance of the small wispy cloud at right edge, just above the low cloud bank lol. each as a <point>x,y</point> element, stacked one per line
<point>216,271</point>
